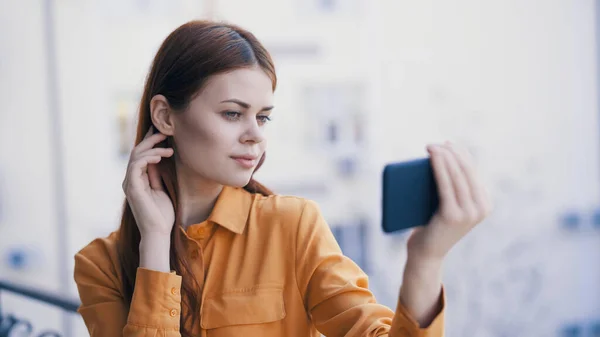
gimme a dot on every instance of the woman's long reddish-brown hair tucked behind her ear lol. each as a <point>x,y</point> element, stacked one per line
<point>186,59</point>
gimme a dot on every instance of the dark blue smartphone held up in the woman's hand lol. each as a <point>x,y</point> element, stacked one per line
<point>410,196</point>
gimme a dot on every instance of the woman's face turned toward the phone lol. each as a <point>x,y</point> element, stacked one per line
<point>220,137</point>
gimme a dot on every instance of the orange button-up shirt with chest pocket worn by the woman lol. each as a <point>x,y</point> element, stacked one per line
<point>267,266</point>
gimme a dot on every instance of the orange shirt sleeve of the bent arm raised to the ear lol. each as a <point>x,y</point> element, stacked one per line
<point>155,306</point>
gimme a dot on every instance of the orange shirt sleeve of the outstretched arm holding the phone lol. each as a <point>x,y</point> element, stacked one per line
<point>335,289</point>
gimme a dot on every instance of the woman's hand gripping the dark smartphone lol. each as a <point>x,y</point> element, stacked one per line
<point>464,202</point>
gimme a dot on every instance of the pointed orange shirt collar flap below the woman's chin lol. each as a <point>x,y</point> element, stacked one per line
<point>232,209</point>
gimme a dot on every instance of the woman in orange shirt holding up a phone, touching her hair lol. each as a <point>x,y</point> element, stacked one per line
<point>204,250</point>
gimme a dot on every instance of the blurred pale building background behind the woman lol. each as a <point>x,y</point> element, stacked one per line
<point>361,84</point>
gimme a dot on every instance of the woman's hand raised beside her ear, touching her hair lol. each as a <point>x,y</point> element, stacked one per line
<point>149,202</point>
